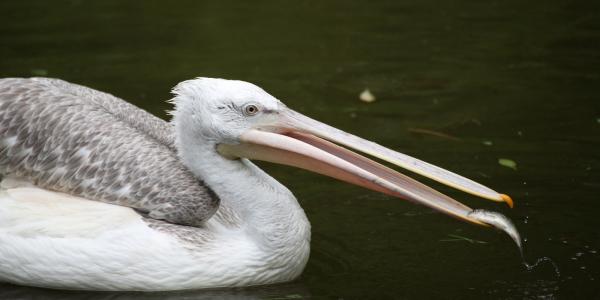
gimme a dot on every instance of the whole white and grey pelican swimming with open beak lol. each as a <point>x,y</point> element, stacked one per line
<point>97,194</point>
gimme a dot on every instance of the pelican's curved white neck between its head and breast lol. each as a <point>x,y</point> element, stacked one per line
<point>269,211</point>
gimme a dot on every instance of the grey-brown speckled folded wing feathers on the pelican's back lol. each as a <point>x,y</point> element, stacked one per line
<point>69,138</point>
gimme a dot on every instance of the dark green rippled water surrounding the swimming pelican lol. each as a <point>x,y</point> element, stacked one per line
<point>522,77</point>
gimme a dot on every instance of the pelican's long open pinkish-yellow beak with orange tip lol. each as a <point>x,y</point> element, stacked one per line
<point>296,140</point>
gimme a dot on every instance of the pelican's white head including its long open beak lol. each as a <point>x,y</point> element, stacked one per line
<point>244,121</point>
